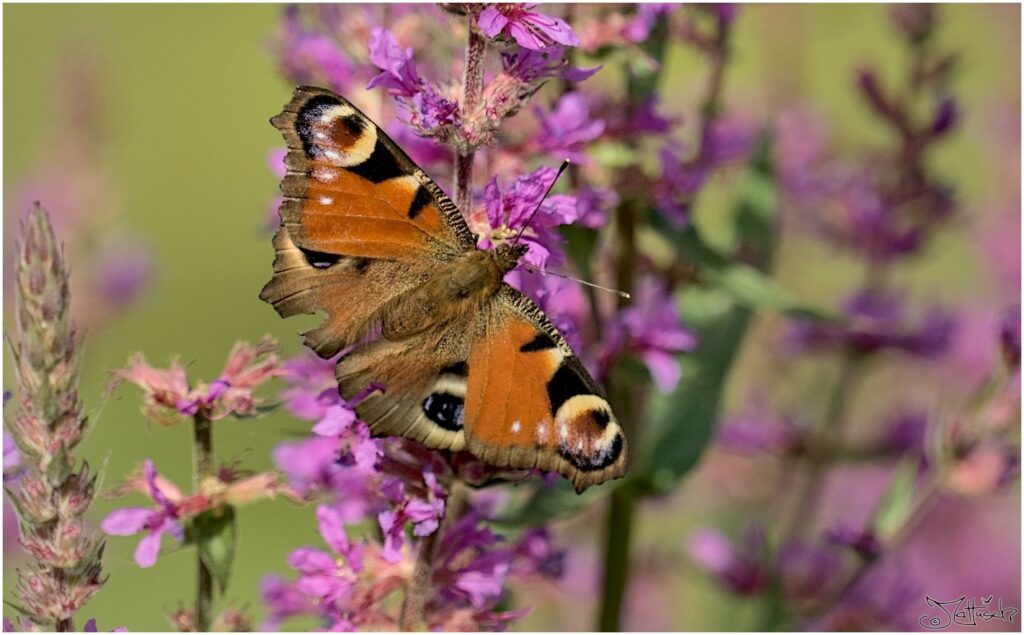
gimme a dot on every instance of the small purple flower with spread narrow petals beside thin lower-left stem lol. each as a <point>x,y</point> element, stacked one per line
<point>131,521</point>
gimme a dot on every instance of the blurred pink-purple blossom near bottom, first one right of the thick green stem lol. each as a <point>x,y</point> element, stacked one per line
<point>741,571</point>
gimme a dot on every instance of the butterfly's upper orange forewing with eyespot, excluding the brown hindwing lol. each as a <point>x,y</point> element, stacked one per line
<point>350,191</point>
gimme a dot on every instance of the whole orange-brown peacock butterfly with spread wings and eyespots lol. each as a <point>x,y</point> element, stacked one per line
<point>466,361</point>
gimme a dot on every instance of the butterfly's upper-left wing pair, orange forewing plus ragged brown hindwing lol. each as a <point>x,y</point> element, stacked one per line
<point>360,224</point>
